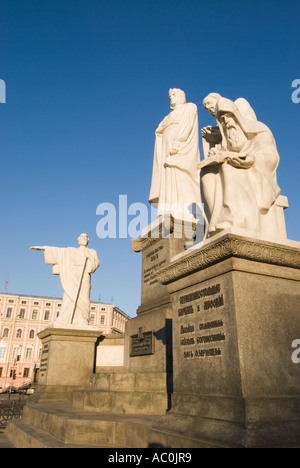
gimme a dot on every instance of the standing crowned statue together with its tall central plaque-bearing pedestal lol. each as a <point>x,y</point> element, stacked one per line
<point>175,192</point>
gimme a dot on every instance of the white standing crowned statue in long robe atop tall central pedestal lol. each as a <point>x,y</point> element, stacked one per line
<point>175,179</point>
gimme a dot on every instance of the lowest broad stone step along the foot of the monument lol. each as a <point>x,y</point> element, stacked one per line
<point>60,425</point>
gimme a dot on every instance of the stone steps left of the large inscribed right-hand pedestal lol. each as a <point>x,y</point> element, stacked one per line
<point>118,408</point>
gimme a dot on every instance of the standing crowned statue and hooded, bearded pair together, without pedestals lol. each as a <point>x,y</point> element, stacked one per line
<point>235,183</point>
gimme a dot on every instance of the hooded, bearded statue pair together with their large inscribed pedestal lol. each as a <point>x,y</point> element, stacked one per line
<point>235,297</point>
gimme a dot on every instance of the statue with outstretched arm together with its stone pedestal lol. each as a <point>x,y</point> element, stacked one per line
<point>68,352</point>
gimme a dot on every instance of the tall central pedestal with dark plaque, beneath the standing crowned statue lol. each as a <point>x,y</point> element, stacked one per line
<point>148,338</point>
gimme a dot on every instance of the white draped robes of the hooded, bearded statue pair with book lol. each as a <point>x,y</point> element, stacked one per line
<point>243,197</point>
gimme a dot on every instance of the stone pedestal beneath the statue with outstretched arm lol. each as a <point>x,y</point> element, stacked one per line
<point>67,361</point>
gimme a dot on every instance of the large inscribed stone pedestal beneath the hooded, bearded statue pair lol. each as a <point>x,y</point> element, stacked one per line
<point>235,317</point>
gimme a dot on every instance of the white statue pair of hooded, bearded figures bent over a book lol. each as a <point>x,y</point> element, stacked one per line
<point>238,176</point>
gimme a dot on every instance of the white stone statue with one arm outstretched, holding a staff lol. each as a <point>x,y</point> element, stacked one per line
<point>74,265</point>
